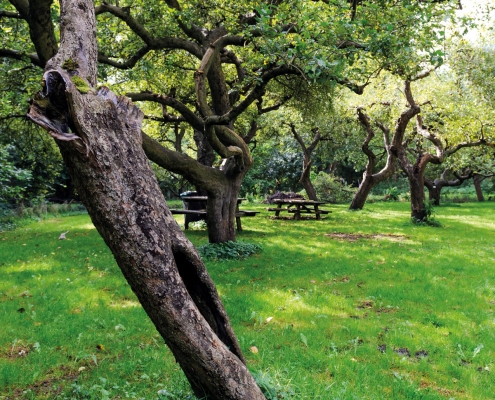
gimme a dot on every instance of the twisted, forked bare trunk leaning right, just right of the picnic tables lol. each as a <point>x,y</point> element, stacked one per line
<point>369,178</point>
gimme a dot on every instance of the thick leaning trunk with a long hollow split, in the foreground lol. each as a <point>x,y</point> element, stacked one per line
<point>99,135</point>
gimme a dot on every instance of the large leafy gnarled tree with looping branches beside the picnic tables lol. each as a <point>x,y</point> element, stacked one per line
<point>217,63</point>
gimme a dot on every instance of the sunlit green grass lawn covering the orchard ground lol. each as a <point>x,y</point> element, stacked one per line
<point>360,305</point>
